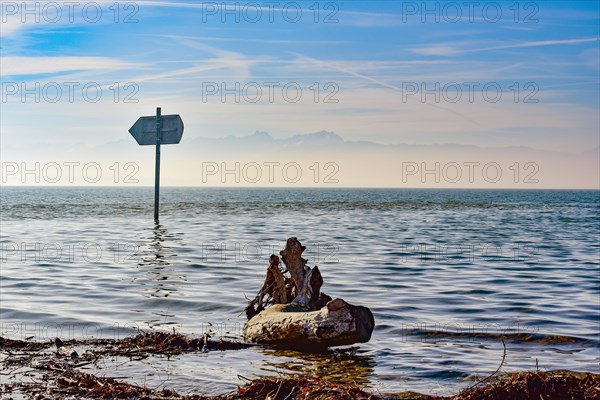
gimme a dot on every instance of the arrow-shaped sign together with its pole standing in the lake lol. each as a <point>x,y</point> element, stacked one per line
<point>166,129</point>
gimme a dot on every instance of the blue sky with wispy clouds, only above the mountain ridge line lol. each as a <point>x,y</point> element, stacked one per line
<point>370,61</point>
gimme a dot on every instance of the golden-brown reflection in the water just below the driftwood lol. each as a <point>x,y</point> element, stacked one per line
<point>345,366</point>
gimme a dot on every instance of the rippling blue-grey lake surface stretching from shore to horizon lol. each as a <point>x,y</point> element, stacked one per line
<point>447,273</point>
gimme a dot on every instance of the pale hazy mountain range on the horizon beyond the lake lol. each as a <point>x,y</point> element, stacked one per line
<point>326,154</point>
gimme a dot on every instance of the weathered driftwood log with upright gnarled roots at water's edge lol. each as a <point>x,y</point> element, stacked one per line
<point>292,311</point>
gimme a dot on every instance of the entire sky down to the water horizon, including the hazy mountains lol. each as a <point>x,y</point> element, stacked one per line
<point>376,93</point>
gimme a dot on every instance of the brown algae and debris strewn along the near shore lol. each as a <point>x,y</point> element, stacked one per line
<point>37,370</point>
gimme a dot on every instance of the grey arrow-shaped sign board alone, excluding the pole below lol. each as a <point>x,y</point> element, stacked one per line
<point>144,130</point>
